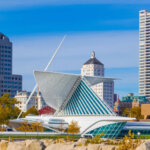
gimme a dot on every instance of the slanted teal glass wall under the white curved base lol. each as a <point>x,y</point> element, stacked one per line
<point>110,130</point>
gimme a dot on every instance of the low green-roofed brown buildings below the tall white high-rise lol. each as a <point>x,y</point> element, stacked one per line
<point>130,101</point>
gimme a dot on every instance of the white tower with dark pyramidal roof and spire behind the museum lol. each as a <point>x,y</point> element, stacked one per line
<point>104,89</point>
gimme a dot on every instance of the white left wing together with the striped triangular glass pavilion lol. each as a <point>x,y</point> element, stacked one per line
<point>70,94</point>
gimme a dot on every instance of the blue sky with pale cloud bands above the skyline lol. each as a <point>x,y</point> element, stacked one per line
<point>109,27</point>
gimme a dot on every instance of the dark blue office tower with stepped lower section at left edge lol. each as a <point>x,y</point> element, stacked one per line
<point>9,83</point>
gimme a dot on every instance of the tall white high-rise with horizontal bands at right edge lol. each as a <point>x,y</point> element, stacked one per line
<point>144,53</point>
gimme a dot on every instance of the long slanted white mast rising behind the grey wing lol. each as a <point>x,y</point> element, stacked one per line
<point>46,68</point>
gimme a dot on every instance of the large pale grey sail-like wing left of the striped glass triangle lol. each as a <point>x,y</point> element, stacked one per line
<point>55,87</point>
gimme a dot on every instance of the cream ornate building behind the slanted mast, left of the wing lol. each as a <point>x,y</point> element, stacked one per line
<point>36,100</point>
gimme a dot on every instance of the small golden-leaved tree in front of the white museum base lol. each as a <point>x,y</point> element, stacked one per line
<point>73,127</point>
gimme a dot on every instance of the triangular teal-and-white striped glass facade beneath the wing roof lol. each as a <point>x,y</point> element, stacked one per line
<point>85,102</point>
